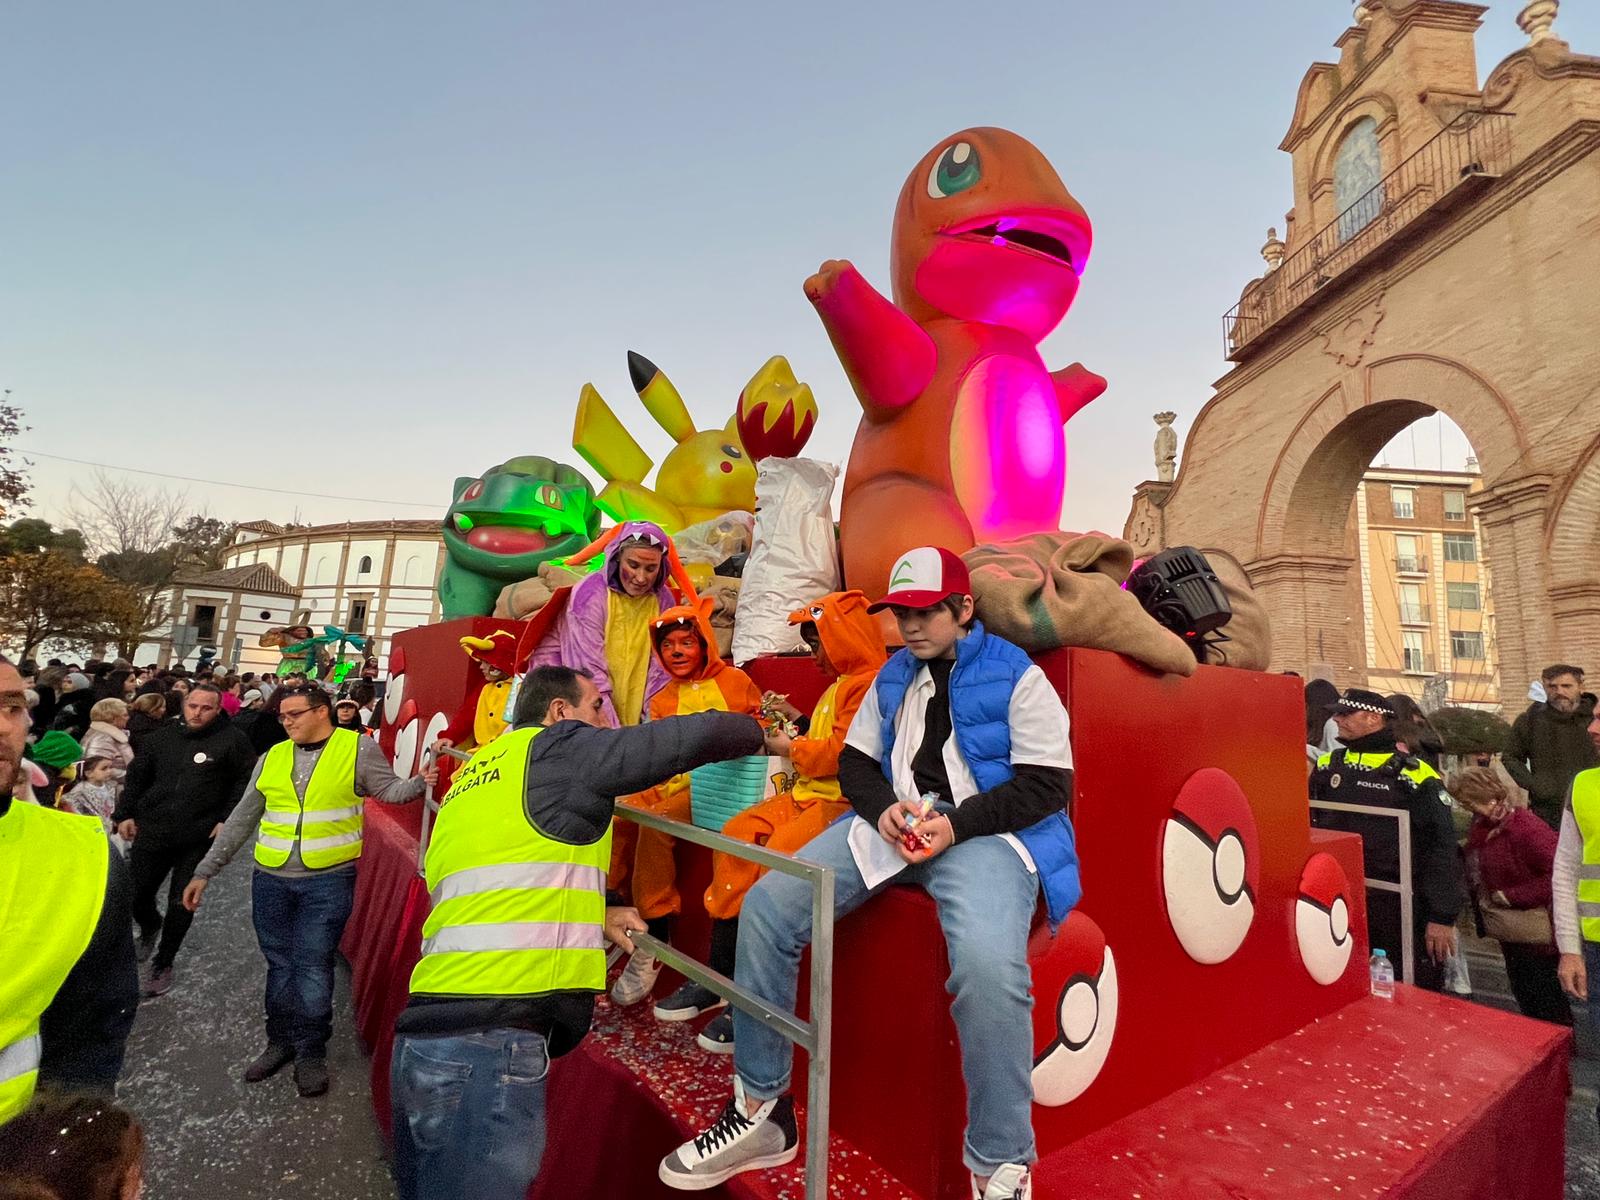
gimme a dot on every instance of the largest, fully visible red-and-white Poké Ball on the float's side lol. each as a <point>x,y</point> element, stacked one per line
<point>1212,866</point>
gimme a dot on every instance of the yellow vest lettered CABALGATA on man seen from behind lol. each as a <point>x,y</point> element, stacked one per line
<point>514,913</point>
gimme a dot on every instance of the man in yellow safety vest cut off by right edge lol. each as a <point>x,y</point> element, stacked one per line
<point>1575,889</point>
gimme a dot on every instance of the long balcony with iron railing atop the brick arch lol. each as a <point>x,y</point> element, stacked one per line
<point>1463,159</point>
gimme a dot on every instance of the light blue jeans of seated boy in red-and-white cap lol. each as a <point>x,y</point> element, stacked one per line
<point>986,903</point>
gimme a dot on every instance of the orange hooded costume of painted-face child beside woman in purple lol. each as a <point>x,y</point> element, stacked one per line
<point>714,687</point>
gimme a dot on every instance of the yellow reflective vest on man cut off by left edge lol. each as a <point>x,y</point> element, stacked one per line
<point>54,873</point>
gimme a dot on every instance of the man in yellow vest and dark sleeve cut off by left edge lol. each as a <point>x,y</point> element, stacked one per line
<point>70,983</point>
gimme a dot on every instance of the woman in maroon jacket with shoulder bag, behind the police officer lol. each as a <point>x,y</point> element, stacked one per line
<point>1511,857</point>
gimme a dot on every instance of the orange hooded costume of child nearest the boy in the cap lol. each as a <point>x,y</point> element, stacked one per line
<point>855,649</point>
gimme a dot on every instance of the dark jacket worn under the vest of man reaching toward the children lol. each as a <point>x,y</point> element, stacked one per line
<point>575,775</point>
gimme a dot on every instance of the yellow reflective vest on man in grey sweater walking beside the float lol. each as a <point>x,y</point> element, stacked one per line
<point>329,818</point>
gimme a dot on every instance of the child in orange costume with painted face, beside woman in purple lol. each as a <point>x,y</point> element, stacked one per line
<point>698,682</point>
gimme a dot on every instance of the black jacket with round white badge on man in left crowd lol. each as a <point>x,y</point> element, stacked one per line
<point>185,782</point>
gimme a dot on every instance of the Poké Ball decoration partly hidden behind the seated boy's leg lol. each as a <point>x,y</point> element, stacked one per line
<point>1074,1030</point>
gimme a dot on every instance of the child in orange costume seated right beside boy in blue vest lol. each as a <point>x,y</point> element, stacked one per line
<point>846,642</point>
